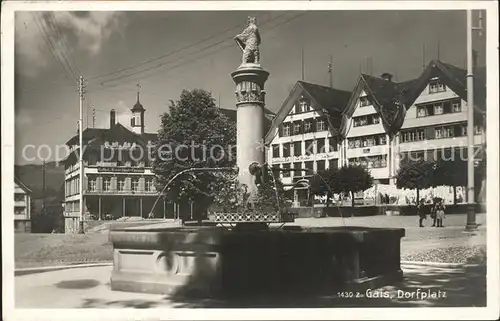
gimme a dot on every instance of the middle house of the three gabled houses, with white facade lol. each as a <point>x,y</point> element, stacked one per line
<point>374,115</point>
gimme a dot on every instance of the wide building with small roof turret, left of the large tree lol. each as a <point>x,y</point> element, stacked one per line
<point>118,181</point>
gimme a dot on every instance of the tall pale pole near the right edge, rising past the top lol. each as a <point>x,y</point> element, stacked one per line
<point>471,210</point>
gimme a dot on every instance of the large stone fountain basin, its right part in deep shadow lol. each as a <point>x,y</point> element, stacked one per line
<point>215,261</point>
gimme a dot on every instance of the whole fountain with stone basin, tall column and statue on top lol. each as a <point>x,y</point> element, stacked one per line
<point>252,259</point>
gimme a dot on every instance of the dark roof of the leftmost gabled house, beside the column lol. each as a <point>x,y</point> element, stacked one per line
<point>330,101</point>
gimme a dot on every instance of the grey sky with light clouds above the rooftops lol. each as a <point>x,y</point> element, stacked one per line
<point>166,52</point>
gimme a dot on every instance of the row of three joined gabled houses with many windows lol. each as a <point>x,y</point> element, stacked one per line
<point>380,124</point>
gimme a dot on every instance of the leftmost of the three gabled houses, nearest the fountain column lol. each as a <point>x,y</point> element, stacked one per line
<point>306,133</point>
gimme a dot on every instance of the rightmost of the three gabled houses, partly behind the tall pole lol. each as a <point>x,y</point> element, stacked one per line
<point>435,123</point>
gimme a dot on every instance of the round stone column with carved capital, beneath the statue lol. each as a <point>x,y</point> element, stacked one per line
<point>250,101</point>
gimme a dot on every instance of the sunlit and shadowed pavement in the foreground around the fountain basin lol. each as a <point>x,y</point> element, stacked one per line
<point>89,288</point>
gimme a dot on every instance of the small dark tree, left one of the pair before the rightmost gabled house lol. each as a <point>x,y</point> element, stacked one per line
<point>416,175</point>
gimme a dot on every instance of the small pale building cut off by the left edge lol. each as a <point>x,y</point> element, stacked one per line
<point>22,207</point>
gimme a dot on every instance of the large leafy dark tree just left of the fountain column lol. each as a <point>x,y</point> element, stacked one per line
<point>194,133</point>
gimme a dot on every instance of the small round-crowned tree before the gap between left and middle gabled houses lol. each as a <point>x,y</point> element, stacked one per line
<point>351,179</point>
